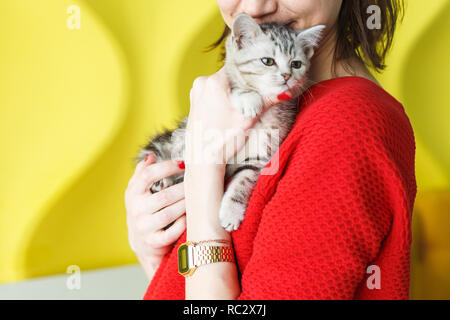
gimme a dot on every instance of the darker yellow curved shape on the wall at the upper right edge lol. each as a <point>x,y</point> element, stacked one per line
<point>425,84</point>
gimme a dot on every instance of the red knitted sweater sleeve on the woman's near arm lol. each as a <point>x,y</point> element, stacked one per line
<point>330,212</point>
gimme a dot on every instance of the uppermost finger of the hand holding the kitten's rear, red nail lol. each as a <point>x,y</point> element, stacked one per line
<point>149,174</point>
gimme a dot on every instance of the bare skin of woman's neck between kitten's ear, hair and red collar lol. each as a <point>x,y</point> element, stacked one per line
<point>322,63</point>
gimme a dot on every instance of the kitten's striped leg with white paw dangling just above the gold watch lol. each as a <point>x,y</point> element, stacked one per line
<point>236,198</point>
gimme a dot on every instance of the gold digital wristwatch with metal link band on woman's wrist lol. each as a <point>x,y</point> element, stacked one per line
<point>191,255</point>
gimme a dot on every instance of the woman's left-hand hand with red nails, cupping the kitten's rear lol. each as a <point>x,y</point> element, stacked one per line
<point>148,214</point>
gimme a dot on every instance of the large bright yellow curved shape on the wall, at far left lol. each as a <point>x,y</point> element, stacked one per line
<point>62,97</point>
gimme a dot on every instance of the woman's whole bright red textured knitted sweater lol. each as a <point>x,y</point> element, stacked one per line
<point>340,202</point>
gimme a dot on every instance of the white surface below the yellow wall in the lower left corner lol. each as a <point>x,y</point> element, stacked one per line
<point>128,283</point>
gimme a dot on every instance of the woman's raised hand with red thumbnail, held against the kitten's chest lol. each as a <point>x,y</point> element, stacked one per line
<point>216,130</point>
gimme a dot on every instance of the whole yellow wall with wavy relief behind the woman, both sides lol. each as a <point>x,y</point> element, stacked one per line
<point>75,105</point>
